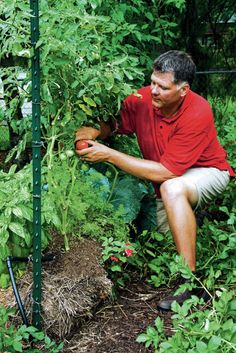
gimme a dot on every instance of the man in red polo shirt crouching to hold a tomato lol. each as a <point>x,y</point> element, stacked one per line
<point>182,156</point>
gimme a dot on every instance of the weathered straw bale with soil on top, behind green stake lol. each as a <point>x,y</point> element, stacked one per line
<point>72,286</point>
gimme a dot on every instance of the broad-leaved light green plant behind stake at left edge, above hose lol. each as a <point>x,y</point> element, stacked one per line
<point>16,217</point>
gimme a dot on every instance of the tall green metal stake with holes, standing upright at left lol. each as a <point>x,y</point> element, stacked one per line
<point>36,150</point>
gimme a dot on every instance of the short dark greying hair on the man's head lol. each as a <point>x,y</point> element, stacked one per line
<point>178,62</point>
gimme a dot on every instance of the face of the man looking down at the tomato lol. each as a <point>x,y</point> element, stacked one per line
<point>165,93</point>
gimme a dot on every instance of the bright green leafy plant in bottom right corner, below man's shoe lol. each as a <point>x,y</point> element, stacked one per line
<point>209,330</point>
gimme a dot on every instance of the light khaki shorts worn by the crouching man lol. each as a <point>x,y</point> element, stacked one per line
<point>209,182</point>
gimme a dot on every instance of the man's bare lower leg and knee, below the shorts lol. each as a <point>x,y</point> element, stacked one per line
<point>179,195</point>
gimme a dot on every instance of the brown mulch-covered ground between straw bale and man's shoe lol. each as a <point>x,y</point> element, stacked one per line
<point>116,325</point>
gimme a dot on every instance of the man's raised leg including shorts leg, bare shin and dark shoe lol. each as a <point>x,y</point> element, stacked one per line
<point>196,187</point>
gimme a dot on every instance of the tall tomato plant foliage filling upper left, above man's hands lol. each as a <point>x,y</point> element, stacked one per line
<point>87,68</point>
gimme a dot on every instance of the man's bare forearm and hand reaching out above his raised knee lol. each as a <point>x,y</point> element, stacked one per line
<point>141,168</point>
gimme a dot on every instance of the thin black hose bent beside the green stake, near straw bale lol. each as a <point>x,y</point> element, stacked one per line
<point>45,258</point>
